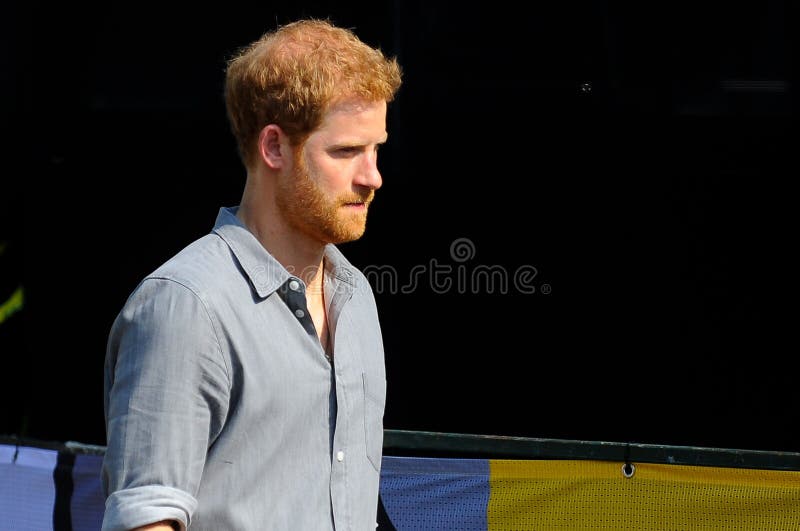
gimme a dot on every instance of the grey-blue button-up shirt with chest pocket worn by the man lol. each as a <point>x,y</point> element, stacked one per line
<point>222,411</point>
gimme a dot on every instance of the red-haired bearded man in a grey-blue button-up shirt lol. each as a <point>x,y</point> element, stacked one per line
<point>245,380</point>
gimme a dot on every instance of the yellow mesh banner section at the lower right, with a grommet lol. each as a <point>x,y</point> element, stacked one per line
<point>578,494</point>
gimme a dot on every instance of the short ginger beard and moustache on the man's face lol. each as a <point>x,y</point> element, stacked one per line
<point>307,208</point>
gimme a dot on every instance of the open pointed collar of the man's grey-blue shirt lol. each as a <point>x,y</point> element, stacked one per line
<point>265,273</point>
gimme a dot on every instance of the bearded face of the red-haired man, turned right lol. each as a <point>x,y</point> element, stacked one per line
<point>327,193</point>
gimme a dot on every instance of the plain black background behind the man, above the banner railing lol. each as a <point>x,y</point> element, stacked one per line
<point>641,158</point>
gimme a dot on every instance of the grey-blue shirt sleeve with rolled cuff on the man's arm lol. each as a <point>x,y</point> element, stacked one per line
<point>166,397</point>
